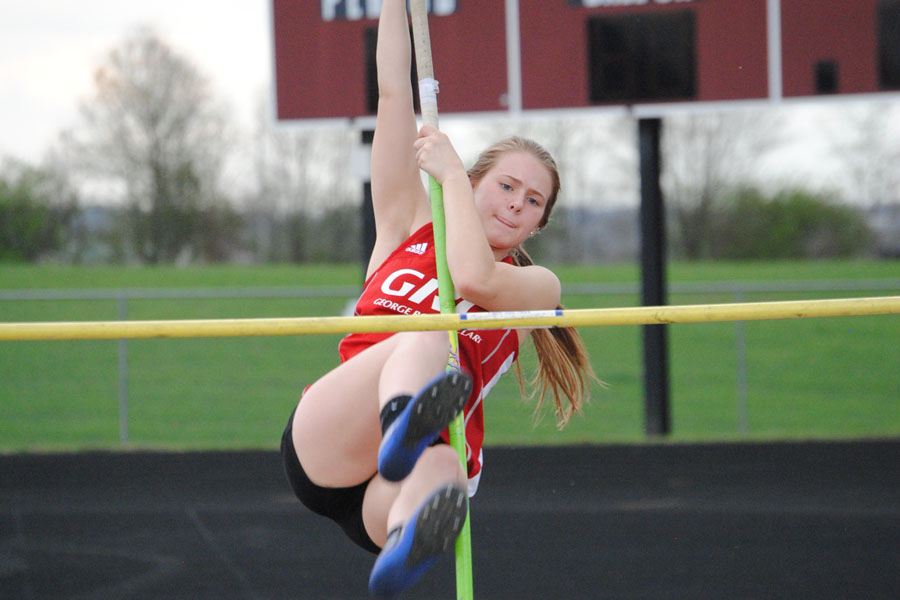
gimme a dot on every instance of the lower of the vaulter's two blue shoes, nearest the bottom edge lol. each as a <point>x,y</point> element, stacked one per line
<point>412,549</point>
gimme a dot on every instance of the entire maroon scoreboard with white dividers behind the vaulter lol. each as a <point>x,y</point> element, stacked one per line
<point>511,55</point>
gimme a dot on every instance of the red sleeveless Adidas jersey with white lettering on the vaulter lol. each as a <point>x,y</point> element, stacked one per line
<point>406,284</point>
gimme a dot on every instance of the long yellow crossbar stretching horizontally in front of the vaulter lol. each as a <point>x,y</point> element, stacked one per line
<point>641,315</point>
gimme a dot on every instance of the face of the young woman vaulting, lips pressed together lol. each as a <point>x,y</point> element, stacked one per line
<point>511,199</point>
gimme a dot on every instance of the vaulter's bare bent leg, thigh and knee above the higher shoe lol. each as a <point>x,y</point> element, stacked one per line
<point>336,430</point>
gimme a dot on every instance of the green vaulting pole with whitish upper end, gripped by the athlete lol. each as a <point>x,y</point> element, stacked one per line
<point>428,101</point>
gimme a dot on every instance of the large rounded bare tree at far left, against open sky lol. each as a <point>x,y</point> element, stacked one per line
<point>154,130</point>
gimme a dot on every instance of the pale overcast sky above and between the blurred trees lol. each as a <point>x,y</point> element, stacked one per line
<point>49,50</point>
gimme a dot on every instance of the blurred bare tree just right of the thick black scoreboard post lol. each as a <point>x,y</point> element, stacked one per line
<point>703,156</point>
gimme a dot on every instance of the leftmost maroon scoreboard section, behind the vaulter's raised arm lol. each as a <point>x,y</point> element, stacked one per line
<point>325,56</point>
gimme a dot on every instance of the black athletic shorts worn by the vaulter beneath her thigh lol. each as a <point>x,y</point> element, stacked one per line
<point>341,505</point>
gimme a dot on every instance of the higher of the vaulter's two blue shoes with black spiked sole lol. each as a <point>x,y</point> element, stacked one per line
<point>419,423</point>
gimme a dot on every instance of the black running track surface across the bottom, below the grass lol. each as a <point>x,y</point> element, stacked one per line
<point>754,521</point>
